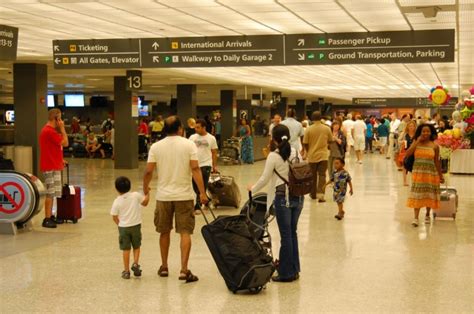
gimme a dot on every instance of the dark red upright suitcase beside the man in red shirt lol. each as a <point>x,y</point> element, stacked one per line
<point>69,204</point>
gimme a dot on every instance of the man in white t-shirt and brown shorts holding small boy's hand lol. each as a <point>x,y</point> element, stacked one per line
<point>176,161</point>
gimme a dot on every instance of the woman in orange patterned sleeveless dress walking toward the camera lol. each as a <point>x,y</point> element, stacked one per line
<point>426,174</point>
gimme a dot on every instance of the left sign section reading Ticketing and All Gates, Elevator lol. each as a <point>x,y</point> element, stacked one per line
<point>93,54</point>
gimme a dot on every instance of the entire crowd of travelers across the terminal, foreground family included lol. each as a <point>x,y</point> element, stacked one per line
<point>184,156</point>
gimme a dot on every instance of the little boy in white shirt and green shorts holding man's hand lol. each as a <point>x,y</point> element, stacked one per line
<point>126,213</point>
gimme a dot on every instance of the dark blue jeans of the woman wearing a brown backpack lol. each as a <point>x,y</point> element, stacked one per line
<point>287,219</point>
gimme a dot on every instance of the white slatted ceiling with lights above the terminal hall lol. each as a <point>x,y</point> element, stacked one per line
<point>41,21</point>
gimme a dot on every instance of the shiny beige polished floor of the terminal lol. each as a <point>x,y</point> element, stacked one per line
<point>373,261</point>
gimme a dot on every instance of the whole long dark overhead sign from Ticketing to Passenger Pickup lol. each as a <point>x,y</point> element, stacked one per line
<point>260,50</point>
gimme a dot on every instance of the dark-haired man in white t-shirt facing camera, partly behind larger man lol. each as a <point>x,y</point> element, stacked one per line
<point>207,155</point>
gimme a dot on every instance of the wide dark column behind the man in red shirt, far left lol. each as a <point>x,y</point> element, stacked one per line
<point>30,88</point>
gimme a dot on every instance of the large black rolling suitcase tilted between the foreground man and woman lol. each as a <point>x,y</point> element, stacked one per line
<point>241,259</point>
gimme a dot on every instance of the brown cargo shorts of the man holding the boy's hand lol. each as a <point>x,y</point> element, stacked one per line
<point>183,212</point>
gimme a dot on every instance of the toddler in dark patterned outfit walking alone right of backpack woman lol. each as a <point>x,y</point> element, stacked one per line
<point>340,179</point>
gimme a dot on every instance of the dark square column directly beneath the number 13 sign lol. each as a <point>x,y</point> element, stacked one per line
<point>126,134</point>
